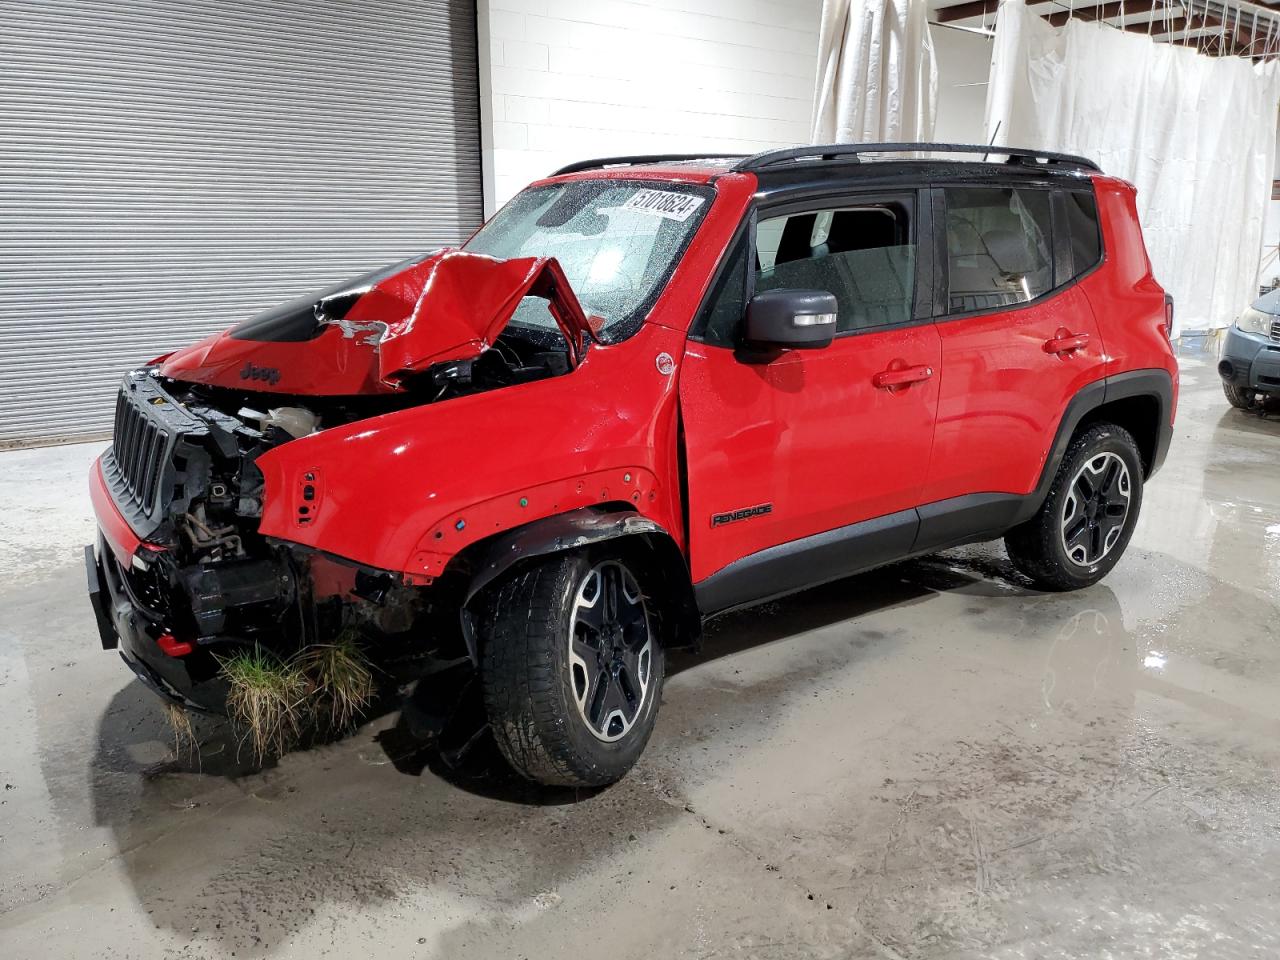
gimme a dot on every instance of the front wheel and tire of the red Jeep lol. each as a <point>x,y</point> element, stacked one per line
<point>572,701</point>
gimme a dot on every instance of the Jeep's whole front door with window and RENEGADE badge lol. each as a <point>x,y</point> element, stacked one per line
<point>787,455</point>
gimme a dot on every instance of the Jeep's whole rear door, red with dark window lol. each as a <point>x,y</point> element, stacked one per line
<point>1020,339</point>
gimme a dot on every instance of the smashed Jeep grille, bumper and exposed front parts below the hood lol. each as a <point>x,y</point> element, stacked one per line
<point>203,584</point>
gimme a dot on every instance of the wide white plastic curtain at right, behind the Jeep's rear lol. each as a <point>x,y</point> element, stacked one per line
<point>1195,135</point>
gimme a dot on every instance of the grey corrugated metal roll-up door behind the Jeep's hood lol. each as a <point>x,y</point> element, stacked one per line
<point>171,168</point>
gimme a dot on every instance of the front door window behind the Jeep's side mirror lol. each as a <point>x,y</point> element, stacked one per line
<point>865,255</point>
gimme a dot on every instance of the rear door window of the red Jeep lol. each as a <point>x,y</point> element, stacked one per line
<point>999,248</point>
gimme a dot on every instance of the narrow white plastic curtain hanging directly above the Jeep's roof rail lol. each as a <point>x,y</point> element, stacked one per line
<point>877,77</point>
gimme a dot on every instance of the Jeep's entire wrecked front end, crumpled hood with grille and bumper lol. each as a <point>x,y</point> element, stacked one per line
<point>184,582</point>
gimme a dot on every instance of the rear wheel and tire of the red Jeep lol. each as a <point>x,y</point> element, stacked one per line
<point>1076,538</point>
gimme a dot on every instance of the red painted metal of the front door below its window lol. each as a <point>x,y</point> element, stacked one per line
<point>810,433</point>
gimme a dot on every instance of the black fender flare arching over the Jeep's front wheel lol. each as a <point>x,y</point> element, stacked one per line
<point>488,560</point>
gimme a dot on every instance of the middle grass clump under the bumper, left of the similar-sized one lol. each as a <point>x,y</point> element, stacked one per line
<point>266,700</point>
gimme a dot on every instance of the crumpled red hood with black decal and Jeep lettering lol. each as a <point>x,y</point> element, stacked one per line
<point>368,335</point>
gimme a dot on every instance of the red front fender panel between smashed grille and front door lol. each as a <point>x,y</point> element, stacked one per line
<point>392,481</point>
